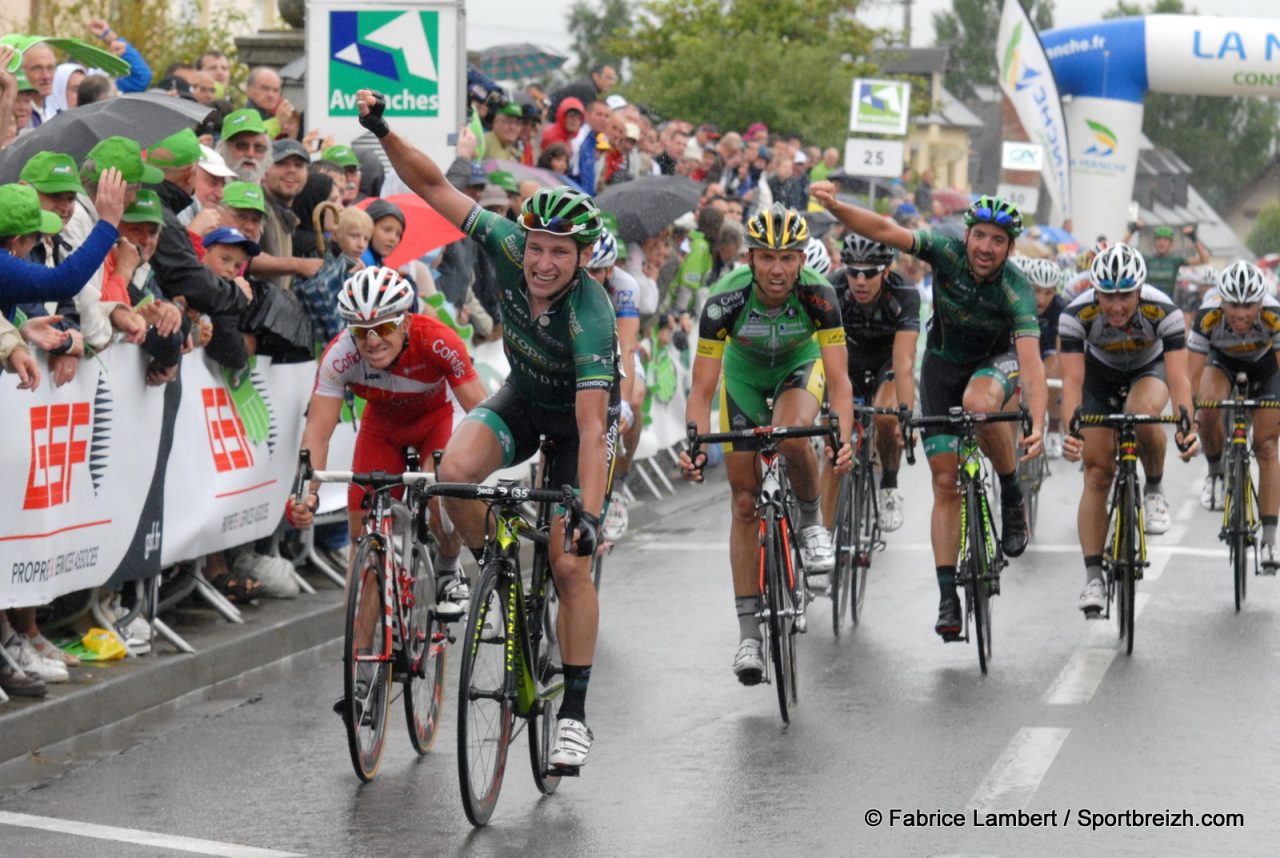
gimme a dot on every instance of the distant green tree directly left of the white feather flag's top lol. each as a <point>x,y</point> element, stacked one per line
<point>971,33</point>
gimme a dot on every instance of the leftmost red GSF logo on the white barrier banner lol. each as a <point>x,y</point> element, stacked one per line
<point>60,441</point>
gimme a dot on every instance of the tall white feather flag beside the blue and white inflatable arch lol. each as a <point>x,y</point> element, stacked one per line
<point>1028,81</point>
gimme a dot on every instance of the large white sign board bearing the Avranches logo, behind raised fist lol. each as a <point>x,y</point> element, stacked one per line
<point>414,53</point>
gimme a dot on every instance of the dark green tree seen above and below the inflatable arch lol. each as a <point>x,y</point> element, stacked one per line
<point>1226,142</point>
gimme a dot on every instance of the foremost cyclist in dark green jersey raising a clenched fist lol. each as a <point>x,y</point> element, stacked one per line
<point>560,339</point>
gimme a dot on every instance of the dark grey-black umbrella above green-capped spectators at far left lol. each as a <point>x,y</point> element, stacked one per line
<point>145,117</point>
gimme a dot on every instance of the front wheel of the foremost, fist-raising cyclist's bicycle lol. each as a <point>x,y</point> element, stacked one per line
<point>486,706</point>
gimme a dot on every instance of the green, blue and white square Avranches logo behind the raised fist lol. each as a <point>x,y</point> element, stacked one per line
<point>395,53</point>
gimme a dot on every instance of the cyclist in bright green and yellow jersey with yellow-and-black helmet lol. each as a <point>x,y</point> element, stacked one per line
<point>770,325</point>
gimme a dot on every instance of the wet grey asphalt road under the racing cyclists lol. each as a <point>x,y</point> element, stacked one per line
<point>687,763</point>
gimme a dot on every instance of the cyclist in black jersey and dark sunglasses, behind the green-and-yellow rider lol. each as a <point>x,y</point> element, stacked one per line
<point>881,314</point>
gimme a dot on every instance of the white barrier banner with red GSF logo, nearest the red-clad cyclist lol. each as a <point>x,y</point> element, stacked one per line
<point>235,455</point>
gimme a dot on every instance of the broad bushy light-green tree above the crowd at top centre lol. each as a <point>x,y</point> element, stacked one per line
<point>787,63</point>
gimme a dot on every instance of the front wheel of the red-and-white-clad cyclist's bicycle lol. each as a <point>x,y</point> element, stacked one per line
<point>367,664</point>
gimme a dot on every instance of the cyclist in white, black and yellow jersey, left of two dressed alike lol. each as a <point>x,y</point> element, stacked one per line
<point>1121,335</point>
